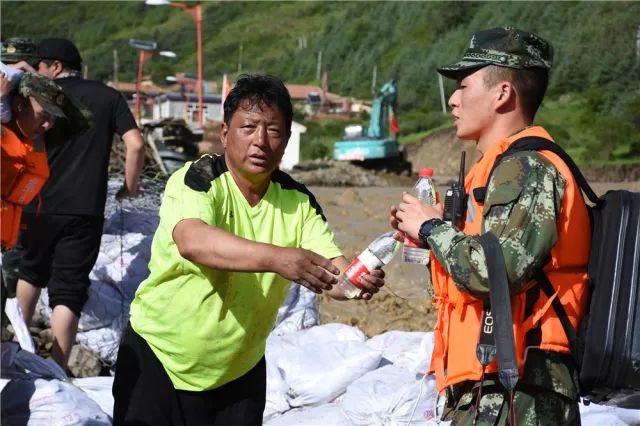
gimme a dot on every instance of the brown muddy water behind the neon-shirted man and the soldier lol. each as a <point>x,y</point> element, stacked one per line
<point>357,216</point>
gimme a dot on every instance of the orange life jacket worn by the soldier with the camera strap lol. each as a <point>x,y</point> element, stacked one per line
<point>457,330</point>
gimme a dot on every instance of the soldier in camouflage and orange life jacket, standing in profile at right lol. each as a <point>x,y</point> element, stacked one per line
<point>502,79</point>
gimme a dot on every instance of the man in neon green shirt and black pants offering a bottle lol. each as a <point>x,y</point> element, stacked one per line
<point>234,232</point>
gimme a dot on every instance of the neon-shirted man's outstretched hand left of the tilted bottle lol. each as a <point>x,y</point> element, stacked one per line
<point>307,269</point>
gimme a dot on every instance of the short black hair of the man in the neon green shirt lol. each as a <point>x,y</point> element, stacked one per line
<point>259,89</point>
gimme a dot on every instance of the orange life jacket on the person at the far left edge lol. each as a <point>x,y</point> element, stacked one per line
<point>24,171</point>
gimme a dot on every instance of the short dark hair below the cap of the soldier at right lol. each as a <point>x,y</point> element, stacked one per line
<point>530,85</point>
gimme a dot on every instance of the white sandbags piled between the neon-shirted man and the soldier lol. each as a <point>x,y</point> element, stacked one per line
<point>332,375</point>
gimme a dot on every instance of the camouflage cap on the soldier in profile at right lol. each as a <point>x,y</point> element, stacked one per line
<point>504,47</point>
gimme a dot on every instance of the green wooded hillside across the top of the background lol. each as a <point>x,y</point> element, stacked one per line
<point>593,105</point>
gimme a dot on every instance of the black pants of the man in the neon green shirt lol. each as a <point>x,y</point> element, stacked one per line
<point>144,394</point>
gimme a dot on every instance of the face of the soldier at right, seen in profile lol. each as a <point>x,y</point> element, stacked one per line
<point>472,106</point>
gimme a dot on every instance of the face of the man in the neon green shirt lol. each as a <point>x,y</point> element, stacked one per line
<point>254,140</point>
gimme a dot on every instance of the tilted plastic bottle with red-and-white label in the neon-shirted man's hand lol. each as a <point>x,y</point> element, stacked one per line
<point>379,253</point>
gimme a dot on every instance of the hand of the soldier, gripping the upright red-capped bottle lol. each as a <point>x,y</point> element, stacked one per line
<point>411,213</point>
